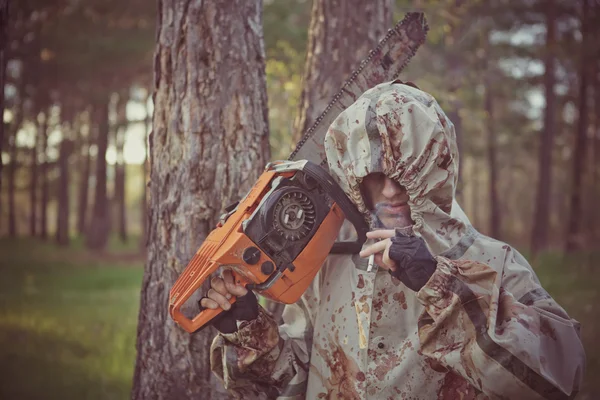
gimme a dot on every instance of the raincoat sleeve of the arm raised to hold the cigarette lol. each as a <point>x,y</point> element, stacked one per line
<point>499,329</point>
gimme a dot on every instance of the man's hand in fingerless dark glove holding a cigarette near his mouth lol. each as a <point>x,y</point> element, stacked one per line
<point>405,257</point>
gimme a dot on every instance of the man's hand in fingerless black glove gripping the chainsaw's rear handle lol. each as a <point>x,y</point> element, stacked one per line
<point>222,289</point>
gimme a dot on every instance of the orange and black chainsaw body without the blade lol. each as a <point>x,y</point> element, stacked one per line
<point>275,276</point>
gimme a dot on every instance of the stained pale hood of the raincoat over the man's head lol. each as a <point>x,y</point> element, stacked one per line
<point>401,131</point>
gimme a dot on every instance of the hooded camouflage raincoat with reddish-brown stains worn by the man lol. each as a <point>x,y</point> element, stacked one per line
<point>481,327</point>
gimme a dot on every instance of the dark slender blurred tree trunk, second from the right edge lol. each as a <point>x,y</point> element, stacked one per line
<point>539,239</point>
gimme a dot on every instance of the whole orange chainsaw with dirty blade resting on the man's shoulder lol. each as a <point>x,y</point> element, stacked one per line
<point>278,236</point>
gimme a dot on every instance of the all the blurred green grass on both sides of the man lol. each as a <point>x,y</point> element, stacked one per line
<point>68,318</point>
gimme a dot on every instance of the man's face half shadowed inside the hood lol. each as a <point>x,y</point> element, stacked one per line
<point>387,199</point>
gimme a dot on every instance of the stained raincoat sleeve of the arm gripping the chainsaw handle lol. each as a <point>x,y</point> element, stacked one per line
<point>264,361</point>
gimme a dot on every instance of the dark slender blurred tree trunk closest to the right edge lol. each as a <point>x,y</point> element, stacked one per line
<point>574,240</point>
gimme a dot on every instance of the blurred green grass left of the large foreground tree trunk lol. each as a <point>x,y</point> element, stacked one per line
<point>67,323</point>
